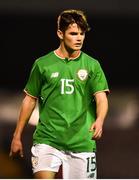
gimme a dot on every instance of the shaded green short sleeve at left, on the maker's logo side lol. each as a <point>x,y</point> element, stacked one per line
<point>33,86</point>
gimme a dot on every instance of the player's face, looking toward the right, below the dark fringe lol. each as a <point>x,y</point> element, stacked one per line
<point>73,38</point>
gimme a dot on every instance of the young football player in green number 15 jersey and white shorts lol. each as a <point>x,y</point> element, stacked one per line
<point>71,90</point>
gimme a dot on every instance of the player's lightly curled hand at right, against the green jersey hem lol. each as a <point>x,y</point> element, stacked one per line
<point>96,128</point>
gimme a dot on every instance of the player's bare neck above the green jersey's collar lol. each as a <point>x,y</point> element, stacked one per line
<point>63,53</point>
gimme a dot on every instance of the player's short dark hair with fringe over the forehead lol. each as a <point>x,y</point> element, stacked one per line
<point>71,16</point>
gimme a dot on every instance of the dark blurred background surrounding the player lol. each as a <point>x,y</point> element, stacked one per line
<point>28,31</point>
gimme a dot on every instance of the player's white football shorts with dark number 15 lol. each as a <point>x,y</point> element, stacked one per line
<point>74,165</point>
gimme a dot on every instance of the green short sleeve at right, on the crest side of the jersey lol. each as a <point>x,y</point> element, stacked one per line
<point>98,80</point>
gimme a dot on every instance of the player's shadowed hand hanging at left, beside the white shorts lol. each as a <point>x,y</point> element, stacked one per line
<point>16,148</point>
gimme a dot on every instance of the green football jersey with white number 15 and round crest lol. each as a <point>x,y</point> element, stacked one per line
<point>67,109</point>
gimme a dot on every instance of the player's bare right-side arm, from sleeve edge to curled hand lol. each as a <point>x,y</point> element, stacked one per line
<point>101,112</point>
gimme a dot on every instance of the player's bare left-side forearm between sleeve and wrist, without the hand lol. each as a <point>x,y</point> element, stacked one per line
<point>27,108</point>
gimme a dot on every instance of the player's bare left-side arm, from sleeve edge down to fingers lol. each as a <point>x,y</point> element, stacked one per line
<point>27,108</point>
